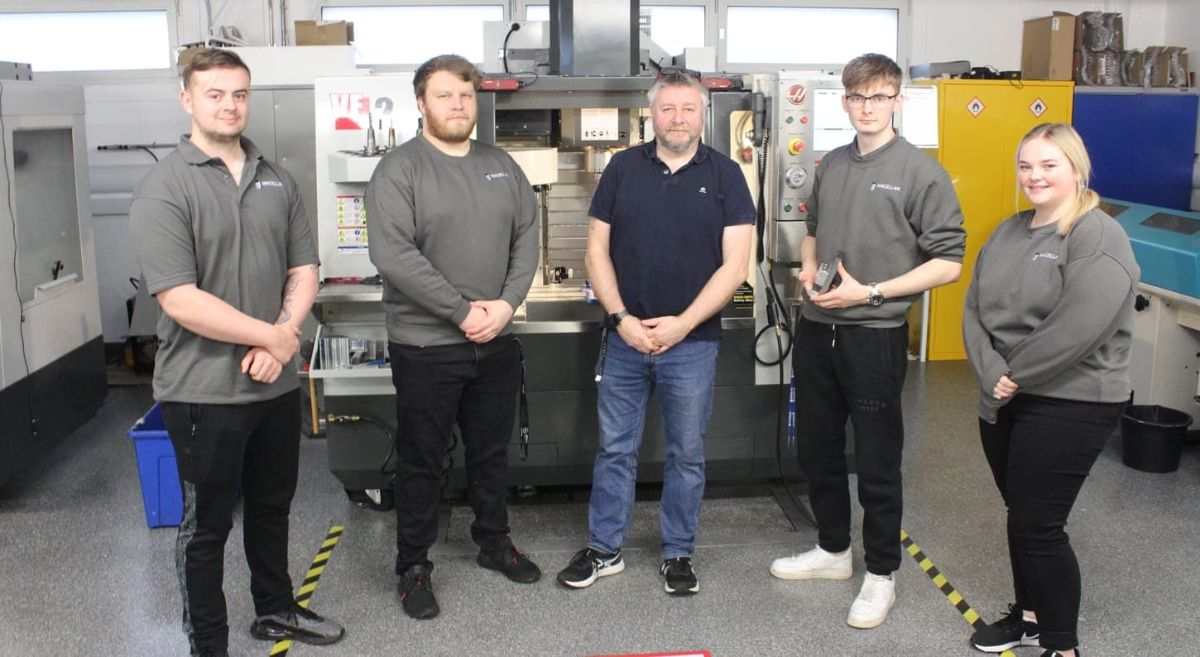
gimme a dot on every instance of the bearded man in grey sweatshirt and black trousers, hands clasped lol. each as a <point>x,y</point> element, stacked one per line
<point>454,237</point>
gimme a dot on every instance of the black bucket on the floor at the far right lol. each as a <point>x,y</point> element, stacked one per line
<point>1153,438</point>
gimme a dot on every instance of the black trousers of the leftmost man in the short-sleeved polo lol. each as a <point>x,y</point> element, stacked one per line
<point>221,449</point>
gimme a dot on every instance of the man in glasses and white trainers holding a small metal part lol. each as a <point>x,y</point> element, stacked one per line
<point>891,214</point>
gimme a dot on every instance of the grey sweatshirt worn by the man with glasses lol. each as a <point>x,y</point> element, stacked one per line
<point>886,213</point>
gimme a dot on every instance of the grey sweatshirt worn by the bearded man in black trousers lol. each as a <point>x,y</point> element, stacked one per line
<point>447,231</point>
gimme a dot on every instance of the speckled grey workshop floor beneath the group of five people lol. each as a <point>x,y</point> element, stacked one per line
<point>85,576</point>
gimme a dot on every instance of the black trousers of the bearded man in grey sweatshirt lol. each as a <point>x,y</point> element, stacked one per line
<point>472,385</point>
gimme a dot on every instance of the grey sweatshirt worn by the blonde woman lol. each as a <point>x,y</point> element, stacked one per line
<point>1055,312</point>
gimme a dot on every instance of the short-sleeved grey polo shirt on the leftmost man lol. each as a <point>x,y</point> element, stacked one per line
<point>191,224</point>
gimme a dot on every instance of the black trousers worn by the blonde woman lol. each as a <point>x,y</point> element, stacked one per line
<point>1041,450</point>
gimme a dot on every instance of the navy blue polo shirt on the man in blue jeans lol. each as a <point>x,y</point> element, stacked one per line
<point>667,230</point>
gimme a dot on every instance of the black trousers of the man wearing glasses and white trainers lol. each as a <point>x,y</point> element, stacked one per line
<point>853,372</point>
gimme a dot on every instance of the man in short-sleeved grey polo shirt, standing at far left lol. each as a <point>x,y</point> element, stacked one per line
<point>225,246</point>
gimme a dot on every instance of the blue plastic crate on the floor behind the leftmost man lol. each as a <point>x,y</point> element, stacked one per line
<point>161,493</point>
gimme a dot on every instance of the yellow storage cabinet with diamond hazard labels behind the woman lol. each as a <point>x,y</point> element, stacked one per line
<point>981,125</point>
